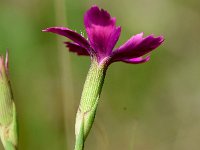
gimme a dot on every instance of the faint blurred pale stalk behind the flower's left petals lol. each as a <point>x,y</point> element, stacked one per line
<point>66,77</point>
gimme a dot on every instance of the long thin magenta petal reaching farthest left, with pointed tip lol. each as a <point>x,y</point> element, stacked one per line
<point>77,38</point>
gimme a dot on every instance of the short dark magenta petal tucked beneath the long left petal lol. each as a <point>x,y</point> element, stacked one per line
<point>73,47</point>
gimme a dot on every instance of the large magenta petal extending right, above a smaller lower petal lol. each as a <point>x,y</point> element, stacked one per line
<point>137,46</point>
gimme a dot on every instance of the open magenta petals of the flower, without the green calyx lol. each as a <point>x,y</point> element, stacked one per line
<point>103,35</point>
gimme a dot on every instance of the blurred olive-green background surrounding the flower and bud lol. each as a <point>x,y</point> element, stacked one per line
<point>152,106</point>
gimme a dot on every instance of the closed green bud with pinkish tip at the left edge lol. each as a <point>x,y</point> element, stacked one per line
<point>8,122</point>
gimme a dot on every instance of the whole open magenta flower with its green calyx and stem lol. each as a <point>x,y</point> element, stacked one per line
<point>103,35</point>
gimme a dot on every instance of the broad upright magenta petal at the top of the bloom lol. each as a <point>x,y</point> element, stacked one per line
<point>101,30</point>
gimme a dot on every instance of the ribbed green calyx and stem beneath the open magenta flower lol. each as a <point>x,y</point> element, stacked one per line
<point>89,101</point>
